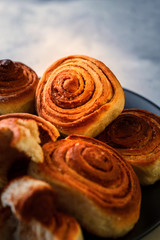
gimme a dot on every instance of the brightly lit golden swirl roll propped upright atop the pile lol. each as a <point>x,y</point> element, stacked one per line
<point>79,95</point>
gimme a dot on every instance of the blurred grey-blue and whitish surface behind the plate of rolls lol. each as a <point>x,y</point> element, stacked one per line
<point>124,34</point>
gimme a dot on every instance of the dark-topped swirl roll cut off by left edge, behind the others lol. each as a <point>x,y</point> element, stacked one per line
<point>18,83</point>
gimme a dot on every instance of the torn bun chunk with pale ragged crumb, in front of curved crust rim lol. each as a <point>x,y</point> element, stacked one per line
<point>19,144</point>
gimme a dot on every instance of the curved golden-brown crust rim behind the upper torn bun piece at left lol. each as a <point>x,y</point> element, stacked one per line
<point>47,131</point>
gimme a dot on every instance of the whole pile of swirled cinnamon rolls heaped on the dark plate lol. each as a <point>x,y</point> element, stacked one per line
<point>78,99</point>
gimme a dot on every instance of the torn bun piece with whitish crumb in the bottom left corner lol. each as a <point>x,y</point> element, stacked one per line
<point>33,203</point>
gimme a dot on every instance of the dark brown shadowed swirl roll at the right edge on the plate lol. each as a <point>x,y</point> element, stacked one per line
<point>136,135</point>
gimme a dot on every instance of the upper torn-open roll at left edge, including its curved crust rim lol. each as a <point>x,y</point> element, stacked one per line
<point>20,141</point>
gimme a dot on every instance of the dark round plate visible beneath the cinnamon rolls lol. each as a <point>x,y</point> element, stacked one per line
<point>150,210</point>
